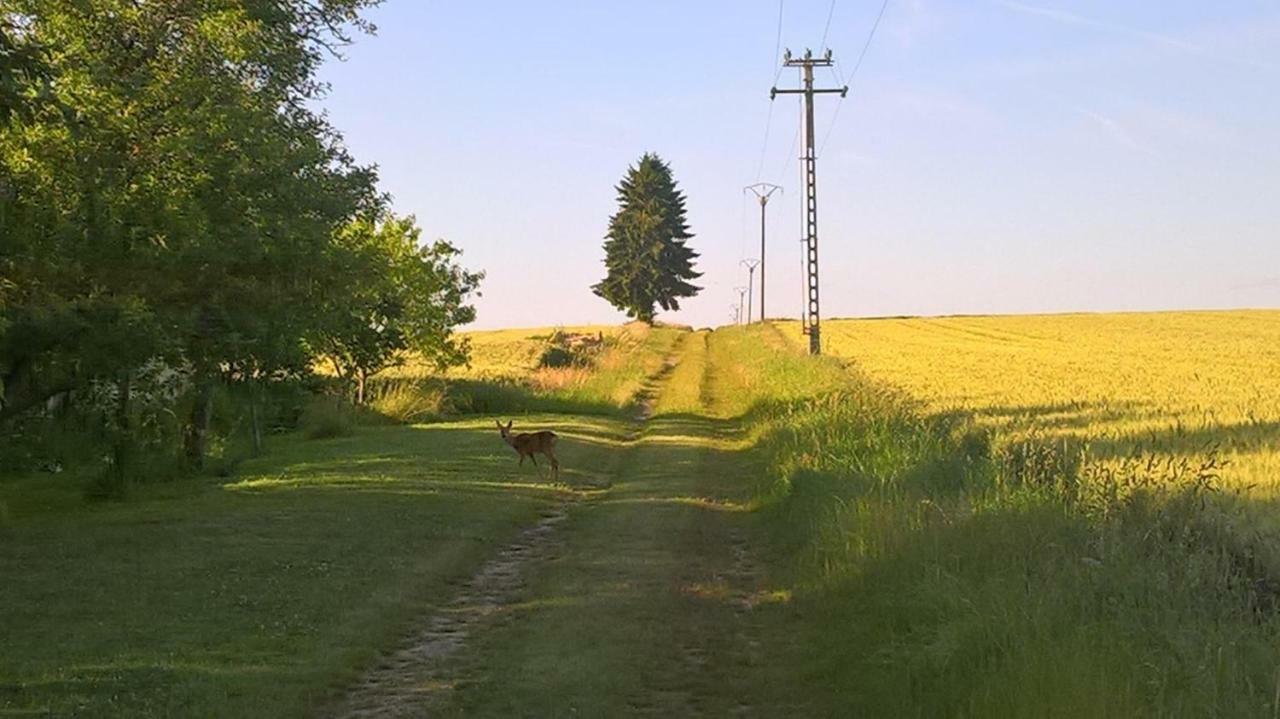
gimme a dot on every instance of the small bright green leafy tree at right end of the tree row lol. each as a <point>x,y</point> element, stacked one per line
<point>410,299</point>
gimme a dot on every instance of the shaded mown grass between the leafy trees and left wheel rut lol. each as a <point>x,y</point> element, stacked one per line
<point>264,594</point>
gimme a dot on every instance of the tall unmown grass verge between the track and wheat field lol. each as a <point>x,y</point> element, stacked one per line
<point>945,574</point>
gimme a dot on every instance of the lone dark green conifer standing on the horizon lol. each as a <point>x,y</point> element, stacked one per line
<point>646,255</point>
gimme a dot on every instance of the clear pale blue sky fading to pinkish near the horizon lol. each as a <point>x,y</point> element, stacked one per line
<point>993,155</point>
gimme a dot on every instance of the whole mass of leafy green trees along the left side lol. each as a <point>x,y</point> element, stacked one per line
<point>176,217</point>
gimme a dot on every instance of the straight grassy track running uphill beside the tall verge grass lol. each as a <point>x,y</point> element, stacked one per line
<point>651,603</point>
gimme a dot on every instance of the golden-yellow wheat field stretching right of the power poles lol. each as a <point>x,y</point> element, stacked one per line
<point>1162,382</point>
